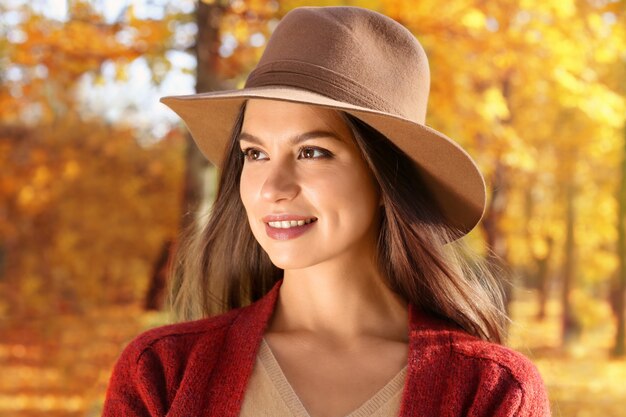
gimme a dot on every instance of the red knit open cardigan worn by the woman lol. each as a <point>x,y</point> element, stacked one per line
<point>201,368</point>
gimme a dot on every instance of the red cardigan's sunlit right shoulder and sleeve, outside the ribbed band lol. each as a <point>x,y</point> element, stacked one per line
<point>473,376</point>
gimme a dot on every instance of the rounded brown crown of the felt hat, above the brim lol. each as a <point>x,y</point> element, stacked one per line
<point>349,54</point>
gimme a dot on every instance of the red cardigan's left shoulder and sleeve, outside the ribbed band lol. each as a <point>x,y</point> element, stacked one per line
<point>148,374</point>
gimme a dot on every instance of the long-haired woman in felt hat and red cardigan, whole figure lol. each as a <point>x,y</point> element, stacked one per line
<point>332,250</point>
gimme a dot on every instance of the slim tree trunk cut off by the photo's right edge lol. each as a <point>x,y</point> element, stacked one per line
<point>619,349</point>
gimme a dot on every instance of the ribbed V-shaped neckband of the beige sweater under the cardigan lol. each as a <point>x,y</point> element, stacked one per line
<point>293,402</point>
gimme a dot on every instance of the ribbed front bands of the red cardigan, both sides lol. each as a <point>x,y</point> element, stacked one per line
<point>429,350</point>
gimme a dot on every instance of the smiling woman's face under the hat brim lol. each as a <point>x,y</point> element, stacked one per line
<point>308,194</point>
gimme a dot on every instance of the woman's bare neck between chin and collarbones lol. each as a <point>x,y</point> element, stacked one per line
<point>344,303</point>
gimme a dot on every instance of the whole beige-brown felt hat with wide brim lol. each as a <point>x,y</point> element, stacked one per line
<point>365,64</point>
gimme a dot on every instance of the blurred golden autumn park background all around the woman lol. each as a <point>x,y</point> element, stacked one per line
<point>97,177</point>
